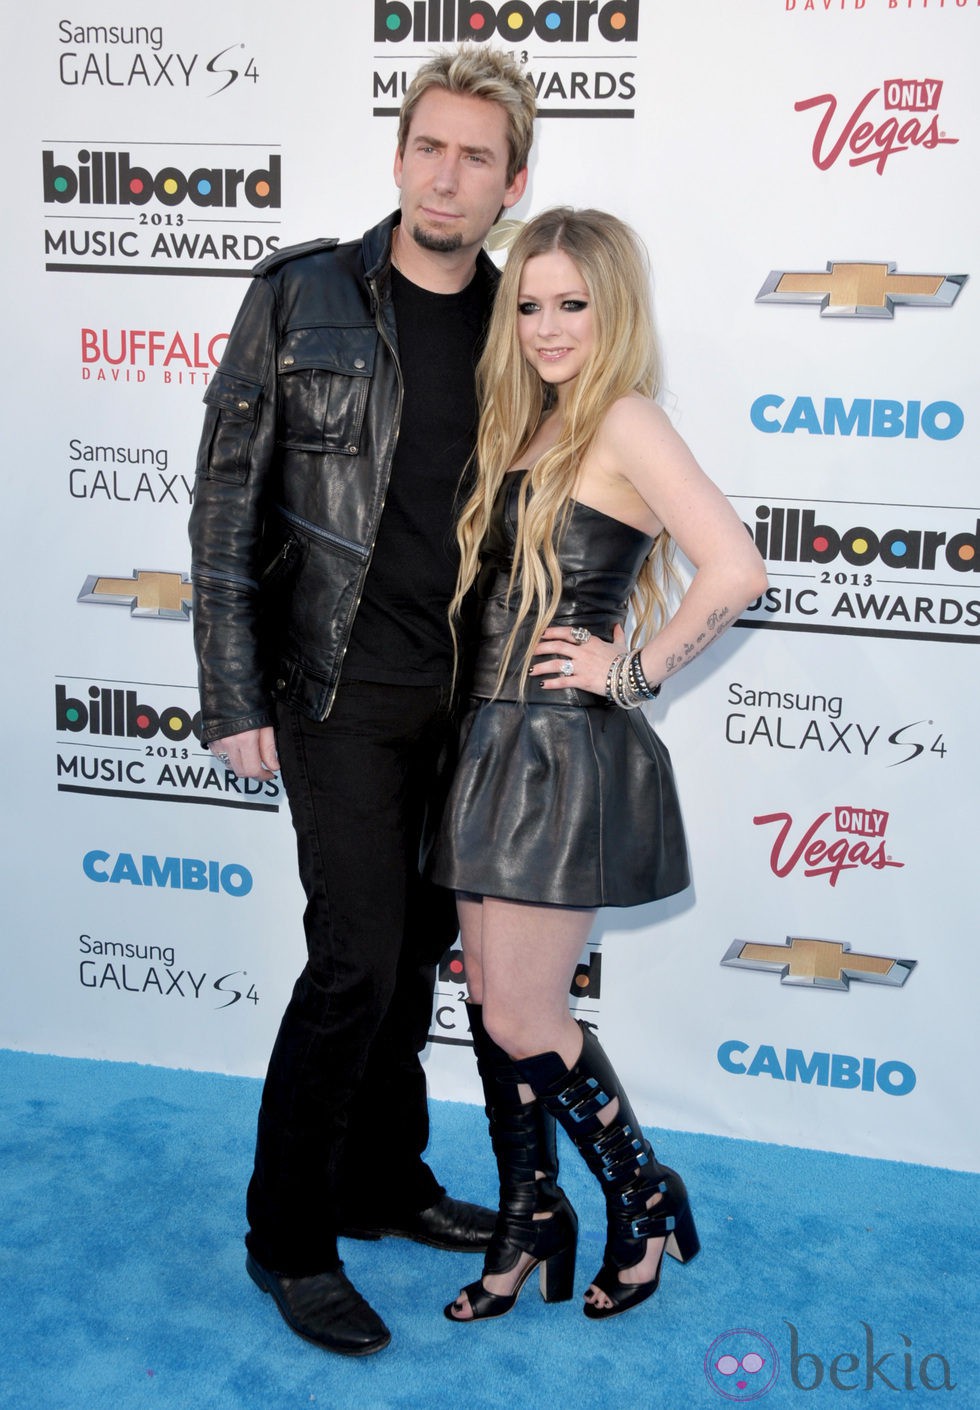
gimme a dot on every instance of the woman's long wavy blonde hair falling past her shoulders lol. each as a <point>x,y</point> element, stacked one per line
<point>513,398</point>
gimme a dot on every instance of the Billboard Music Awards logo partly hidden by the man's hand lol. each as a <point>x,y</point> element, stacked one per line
<point>139,740</point>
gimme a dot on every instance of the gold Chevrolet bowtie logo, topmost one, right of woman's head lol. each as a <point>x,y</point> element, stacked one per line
<point>862,291</point>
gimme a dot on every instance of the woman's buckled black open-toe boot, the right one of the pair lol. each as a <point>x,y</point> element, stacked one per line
<point>621,1158</point>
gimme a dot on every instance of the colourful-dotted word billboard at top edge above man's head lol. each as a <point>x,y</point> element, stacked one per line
<point>555,22</point>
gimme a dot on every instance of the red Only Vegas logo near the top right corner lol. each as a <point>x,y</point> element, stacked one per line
<point>898,116</point>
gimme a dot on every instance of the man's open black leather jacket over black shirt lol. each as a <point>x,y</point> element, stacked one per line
<point>293,472</point>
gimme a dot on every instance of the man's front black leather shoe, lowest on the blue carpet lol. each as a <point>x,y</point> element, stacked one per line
<point>325,1309</point>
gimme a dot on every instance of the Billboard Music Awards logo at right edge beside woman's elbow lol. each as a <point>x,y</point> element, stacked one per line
<point>854,569</point>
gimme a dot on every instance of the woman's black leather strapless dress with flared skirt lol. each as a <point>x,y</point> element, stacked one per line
<point>561,799</point>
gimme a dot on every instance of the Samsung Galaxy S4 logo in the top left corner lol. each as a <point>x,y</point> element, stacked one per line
<point>142,57</point>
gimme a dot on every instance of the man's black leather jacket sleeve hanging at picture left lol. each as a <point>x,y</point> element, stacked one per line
<point>236,463</point>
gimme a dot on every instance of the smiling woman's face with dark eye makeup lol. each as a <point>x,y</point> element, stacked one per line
<point>555,319</point>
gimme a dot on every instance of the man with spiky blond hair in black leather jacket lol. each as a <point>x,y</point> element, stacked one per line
<point>338,429</point>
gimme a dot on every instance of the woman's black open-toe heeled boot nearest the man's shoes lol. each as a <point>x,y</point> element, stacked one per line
<point>522,1134</point>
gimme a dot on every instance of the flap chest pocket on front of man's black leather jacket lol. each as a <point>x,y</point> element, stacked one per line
<point>325,379</point>
